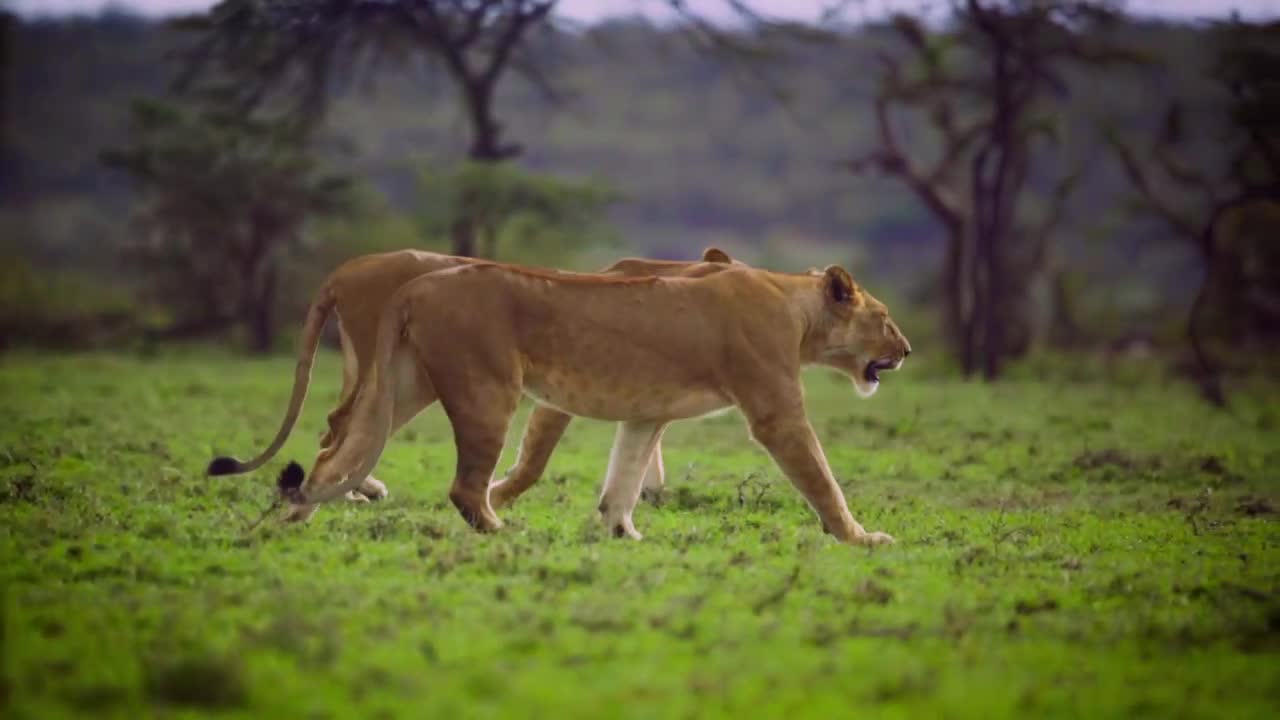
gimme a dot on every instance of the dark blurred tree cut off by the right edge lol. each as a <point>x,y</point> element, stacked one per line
<point>1195,200</point>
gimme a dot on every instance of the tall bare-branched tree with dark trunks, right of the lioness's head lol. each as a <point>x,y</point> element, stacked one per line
<point>984,89</point>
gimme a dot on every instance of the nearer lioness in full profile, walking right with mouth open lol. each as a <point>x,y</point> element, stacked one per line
<point>641,352</point>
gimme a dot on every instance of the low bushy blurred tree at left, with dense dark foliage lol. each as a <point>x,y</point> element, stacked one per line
<point>225,202</point>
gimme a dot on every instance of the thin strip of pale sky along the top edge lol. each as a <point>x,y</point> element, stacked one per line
<point>597,10</point>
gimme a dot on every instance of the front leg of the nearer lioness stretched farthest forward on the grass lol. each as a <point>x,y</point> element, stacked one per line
<point>784,430</point>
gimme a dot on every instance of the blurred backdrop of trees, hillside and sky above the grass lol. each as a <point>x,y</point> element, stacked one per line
<point>1032,186</point>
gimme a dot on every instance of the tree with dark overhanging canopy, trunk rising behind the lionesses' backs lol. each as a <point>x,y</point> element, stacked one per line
<point>303,48</point>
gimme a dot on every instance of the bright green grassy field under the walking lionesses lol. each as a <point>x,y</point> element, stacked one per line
<point>1071,549</point>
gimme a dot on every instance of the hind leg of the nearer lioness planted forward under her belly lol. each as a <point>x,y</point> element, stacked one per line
<point>481,413</point>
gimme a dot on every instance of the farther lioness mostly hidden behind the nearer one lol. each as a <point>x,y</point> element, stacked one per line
<point>356,293</point>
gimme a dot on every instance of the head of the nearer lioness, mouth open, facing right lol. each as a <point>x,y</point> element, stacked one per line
<point>857,335</point>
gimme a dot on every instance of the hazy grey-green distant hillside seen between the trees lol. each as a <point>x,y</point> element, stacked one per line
<point>703,152</point>
